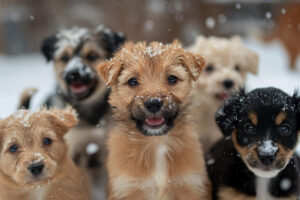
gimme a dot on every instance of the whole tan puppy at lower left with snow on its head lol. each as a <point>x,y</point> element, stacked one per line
<point>34,160</point>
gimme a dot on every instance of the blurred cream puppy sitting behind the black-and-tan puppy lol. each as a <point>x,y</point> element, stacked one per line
<point>228,62</point>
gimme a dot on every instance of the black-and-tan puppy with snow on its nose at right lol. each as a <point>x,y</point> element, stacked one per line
<point>256,159</point>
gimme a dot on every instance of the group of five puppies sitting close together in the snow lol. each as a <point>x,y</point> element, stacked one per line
<point>147,127</point>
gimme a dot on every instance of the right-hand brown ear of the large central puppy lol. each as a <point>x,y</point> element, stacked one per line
<point>194,64</point>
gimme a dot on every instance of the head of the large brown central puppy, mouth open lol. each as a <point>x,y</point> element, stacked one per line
<point>150,84</point>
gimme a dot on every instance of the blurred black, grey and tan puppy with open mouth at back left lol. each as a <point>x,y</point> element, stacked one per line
<point>75,54</point>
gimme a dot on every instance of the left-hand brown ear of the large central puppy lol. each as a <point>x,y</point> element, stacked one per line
<point>110,70</point>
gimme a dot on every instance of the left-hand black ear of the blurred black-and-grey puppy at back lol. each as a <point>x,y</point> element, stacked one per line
<point>48,47</point>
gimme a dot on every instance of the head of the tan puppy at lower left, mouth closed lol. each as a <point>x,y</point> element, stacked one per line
<point>32,145</point>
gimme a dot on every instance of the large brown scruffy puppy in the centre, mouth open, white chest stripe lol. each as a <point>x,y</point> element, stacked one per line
<point>153,150</point>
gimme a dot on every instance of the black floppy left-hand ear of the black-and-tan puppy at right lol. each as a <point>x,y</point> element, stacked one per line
<point>227,115</point>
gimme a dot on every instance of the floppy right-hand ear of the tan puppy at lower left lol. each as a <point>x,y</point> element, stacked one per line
<point>62,120</point>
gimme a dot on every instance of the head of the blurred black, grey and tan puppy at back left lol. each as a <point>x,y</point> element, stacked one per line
<point>76,53</point>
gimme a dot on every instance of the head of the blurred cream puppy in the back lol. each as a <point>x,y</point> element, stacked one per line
<point>228,62</point>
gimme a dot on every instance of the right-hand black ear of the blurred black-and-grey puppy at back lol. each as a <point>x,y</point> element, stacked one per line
<point>111,40</point>
